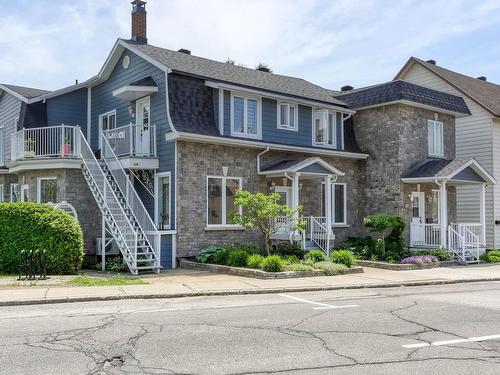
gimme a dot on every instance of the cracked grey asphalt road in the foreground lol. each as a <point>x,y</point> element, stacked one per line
<point>453,329</point>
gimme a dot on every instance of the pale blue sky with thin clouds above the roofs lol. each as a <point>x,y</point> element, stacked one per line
<point>50,43</point>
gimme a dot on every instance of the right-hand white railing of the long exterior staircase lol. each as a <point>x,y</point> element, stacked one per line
<point>141,215</point>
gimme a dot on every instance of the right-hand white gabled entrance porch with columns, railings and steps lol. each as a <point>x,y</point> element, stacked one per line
<point>439,228</point>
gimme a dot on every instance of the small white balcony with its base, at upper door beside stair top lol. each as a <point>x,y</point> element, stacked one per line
<point>134,145</point>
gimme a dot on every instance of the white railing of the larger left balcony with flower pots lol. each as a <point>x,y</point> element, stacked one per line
<point>49,142</point>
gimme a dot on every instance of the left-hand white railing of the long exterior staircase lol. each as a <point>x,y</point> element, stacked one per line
<point>116,218</point>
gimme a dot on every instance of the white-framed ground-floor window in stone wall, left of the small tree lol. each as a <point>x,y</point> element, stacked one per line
<point>221,194</point>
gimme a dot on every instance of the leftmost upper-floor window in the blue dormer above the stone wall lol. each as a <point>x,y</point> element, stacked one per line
<point>245,116</point>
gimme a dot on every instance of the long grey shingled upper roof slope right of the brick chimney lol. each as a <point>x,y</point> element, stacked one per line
<point>223,72</point>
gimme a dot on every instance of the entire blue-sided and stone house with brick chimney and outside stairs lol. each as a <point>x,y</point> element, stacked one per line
<point>151,151</point>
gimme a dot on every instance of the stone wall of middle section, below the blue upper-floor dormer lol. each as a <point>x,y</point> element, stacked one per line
<point>196,161</point>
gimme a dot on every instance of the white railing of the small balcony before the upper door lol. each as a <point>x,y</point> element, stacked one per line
<point>133,140</point>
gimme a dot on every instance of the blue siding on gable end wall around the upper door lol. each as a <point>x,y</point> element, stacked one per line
<point>103,100</point>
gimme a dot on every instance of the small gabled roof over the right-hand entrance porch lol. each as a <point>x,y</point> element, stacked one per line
<point>454,171</point>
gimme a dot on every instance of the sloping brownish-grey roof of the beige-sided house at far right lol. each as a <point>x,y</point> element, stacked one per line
<point>487,94</point>
